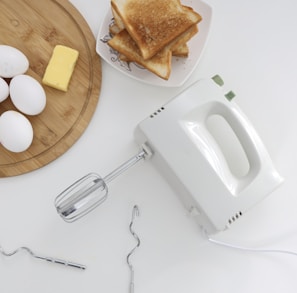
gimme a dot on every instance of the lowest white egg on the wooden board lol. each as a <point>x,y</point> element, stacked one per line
<point>16,132</point>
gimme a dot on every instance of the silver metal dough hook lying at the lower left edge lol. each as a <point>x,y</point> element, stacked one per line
<point>45,258</point>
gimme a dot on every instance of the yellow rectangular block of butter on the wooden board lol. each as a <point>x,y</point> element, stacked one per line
<point>60,67</point>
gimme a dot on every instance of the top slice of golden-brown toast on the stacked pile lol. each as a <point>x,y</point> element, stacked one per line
<point>153,24</point>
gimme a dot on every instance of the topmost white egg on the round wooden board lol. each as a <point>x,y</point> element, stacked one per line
<point>12,62</point>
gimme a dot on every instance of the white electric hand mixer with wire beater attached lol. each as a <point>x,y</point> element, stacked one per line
<point>178,142</point>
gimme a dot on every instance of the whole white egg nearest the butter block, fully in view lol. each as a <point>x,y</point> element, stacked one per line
<point>27,94</point>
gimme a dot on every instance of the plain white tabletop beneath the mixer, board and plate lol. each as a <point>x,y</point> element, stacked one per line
<point>253,46</point>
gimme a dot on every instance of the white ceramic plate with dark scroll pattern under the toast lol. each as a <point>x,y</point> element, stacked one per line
<point>181,67</point>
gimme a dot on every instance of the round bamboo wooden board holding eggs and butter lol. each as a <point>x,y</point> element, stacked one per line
<point>35,27</point>
